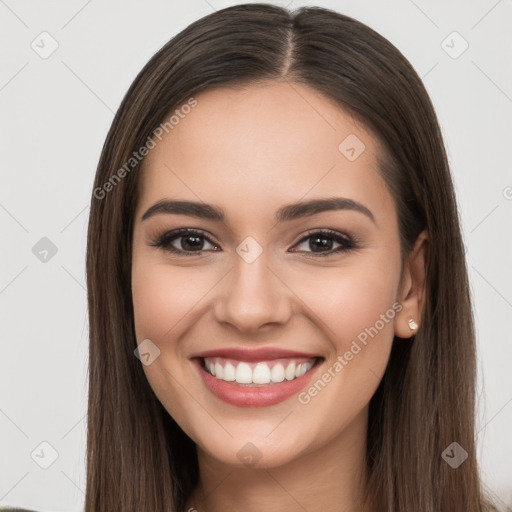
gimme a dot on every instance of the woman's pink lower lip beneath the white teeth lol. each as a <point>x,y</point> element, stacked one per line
<point>245,396</point>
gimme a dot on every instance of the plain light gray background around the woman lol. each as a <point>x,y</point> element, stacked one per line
<point>55,115</point>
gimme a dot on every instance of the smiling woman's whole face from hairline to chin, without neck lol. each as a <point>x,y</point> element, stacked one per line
<point>261,291</point>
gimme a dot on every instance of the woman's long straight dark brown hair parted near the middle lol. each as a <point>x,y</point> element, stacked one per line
<point>138,458</point>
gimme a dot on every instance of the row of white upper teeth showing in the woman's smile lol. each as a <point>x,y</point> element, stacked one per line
<point>259,373</point>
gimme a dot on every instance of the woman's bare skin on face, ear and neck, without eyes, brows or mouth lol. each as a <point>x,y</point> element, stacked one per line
<point>251,151</point>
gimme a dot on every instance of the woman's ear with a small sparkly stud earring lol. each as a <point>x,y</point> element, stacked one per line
<point>412,292</point>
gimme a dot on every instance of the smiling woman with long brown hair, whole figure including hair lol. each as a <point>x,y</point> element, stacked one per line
<point>317,351</point>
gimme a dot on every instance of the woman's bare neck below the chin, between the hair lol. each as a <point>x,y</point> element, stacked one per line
<point>328,479</point>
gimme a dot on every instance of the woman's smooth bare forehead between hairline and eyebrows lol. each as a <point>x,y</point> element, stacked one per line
<point>261,146</point>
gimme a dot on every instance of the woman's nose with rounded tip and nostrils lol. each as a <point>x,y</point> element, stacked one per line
<point>253,296</point>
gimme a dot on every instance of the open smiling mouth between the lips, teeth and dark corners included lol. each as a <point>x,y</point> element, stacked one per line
<point>258,373</point>
